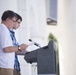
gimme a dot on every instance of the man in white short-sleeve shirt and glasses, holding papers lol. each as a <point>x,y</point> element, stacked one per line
<point>7,49</point>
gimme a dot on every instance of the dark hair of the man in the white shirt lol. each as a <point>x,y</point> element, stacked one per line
<point>8,14</point>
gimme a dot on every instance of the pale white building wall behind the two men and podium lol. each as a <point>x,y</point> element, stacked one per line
<point>34,26</point>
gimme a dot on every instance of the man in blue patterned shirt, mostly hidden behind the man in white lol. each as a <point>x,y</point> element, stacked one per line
<point>16,65</point>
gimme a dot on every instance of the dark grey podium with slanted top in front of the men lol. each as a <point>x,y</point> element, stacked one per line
<point>45,58</point>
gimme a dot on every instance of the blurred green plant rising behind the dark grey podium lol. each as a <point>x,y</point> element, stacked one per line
<point>50,37</point>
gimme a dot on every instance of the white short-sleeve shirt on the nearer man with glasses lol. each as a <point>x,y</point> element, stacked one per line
<point>6,59</point>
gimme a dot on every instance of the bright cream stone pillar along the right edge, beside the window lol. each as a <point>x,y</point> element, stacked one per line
<point>67,34</point>
